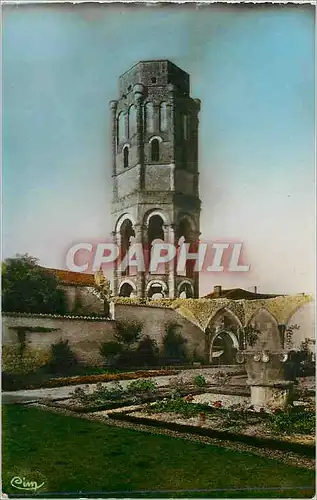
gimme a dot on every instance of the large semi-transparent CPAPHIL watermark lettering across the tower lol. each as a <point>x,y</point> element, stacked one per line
<point>201,256</point>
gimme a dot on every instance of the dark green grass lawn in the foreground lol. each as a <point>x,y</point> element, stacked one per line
<point>75,455</point>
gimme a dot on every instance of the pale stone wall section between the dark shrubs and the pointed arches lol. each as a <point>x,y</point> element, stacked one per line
<point>155,319</point>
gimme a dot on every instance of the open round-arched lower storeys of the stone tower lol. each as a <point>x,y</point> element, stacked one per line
<point>153,230</point>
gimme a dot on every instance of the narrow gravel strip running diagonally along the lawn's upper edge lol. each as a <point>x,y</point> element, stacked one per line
<point>289,458</point>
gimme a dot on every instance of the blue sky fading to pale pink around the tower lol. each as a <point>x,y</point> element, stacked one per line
<point>253,69</point>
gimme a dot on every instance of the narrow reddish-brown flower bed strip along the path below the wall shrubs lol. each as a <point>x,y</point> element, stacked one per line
<point>104,377</point>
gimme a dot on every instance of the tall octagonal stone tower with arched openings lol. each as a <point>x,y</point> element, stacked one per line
<point>155,174</point>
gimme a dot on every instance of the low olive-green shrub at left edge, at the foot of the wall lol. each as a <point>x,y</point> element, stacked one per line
<point>29,361</point>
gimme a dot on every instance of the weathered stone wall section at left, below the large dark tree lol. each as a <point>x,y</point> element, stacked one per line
<point>85,335</point>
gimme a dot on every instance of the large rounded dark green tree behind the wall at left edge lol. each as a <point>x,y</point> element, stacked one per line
<point>29,288</point>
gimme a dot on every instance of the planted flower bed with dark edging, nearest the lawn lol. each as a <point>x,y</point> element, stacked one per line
<point>246,426</point>
